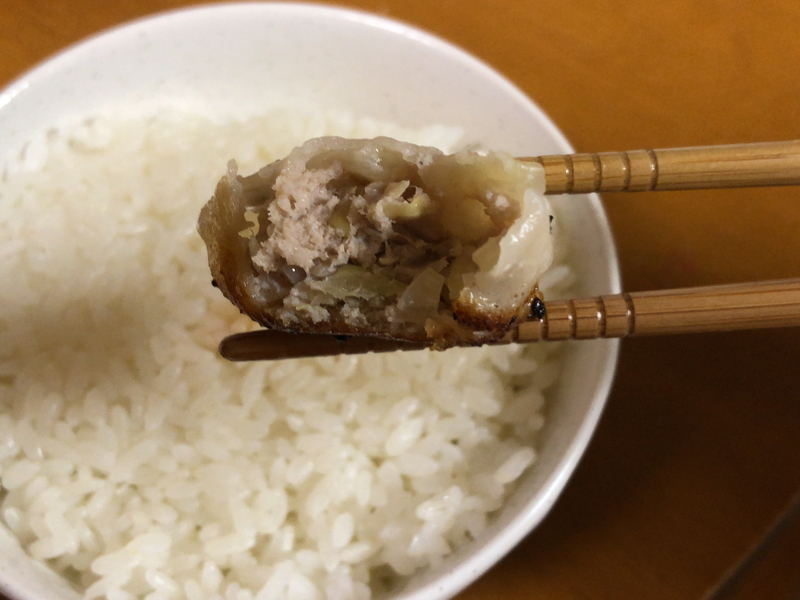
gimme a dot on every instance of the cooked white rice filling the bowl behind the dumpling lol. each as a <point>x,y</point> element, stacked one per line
<point>139,464</point>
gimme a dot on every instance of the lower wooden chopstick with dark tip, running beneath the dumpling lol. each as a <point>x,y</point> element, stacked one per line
<point>688,310</point>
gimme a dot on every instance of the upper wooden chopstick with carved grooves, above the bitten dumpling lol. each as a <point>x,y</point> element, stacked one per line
<point>702,167</point>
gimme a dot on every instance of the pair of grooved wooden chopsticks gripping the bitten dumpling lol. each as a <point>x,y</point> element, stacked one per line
<point>701,309</point>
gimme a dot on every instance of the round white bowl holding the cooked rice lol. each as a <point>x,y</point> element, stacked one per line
<point>240,59</point>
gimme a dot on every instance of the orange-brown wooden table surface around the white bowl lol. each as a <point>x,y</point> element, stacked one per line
<point>698,453</point>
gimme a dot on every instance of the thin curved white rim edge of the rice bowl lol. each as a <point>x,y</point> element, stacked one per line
<point>468,570</point>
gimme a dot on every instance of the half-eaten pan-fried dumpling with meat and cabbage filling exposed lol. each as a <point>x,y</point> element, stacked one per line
<point>381,237</point>
